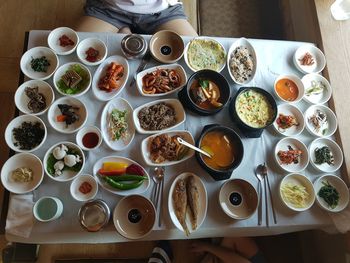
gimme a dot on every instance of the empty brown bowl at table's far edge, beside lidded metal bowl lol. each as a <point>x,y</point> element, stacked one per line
<point>166,46</point>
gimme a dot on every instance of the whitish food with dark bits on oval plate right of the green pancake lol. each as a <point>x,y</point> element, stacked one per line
<point>241,64</point>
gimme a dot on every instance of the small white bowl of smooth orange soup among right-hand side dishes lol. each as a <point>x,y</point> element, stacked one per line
<point>289,88</point>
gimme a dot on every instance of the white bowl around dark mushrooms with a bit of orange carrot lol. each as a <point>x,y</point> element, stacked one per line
<point>54,111</point>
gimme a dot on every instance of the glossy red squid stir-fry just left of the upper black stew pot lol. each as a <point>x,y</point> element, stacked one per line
<point>160,81</point>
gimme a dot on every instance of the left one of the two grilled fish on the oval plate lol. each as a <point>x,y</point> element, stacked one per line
<point>180,203</point>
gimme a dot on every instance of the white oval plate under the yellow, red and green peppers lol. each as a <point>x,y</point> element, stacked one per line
<point>139,190</point>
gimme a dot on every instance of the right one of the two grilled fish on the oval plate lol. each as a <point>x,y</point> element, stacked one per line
<point>193,200</point>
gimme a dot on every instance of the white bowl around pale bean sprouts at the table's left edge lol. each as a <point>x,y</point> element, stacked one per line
<point>18,161</point>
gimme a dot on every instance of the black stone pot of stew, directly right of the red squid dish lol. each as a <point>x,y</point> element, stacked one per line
<point>206,92</point>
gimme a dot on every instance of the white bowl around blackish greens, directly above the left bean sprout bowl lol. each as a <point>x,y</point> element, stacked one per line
<point>15,123</point>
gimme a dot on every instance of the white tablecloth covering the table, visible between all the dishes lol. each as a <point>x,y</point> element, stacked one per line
<point>274,58</point>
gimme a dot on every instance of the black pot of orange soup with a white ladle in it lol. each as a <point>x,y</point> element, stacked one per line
<point>225,147</point>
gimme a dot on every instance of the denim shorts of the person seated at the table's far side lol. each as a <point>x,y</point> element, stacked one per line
<point>138,23</point>
